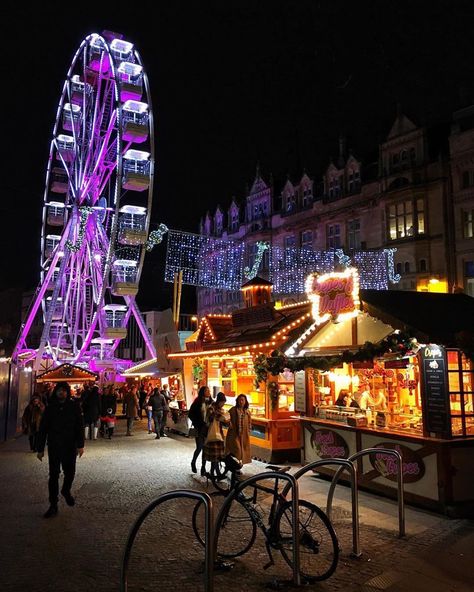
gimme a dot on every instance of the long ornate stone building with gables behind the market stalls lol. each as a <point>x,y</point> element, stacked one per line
<point>417,197</point>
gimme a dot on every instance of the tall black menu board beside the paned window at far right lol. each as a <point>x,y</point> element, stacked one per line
<point>436,412</point>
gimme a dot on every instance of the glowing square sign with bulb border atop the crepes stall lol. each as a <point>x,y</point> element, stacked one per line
<point>334,295</point>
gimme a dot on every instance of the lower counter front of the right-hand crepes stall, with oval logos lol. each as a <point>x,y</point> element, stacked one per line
<point>437,473</point>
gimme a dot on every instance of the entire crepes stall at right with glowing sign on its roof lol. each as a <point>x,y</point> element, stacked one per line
<point>391,370</point>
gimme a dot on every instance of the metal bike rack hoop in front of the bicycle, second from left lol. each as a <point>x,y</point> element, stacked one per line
<point>293,485</point>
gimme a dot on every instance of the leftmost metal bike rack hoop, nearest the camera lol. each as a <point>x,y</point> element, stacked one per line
<point>208,530</point>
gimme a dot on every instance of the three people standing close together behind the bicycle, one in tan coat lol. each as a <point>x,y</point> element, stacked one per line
<point>209,419</point>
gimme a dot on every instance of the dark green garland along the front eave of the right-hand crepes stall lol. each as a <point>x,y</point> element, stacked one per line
<point>399,343</point>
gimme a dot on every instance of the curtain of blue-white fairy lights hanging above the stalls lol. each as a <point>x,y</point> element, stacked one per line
<point>225,264</point>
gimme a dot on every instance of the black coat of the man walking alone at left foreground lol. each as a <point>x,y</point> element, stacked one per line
<point>62,426</point>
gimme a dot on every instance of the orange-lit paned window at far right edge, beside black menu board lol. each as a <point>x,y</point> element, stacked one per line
<point>460,382</point>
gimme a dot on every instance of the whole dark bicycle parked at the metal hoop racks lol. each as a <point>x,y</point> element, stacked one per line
<point>319,548</point>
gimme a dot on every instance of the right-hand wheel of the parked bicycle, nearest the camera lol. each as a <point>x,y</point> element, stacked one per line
<point>319,548</point>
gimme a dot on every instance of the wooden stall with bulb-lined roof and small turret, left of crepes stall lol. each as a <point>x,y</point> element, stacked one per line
<point>225,357</point>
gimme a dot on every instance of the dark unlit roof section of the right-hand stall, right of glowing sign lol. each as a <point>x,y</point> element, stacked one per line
<point>435,318</point>
